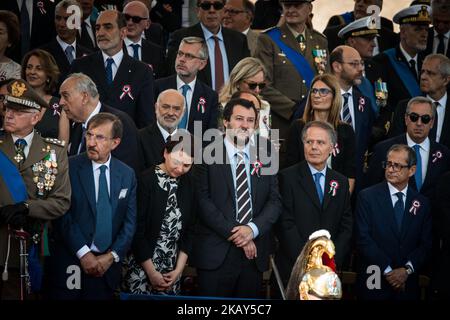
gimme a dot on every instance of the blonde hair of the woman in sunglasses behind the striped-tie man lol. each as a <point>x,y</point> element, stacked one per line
<point>244,69</point>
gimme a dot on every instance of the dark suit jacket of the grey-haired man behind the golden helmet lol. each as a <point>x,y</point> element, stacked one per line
<point>303,214</point>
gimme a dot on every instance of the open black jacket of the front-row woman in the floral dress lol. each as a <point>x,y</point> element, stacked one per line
<point>151,208</point>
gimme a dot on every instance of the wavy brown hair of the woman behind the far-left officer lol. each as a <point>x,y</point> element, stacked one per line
<point>49,66</point>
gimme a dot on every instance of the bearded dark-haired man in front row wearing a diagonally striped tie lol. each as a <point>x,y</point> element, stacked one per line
<point>238,204</point>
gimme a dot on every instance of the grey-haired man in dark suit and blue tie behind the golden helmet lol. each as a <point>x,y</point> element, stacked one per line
<point>314,197</point>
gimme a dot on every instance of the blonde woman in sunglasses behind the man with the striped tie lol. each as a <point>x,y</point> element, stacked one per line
<point>249,74</point>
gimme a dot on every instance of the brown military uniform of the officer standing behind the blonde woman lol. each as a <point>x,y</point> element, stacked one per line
<point>287,87</point>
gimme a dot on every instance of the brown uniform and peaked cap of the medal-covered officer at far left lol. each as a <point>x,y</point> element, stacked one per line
<point>44,172</point>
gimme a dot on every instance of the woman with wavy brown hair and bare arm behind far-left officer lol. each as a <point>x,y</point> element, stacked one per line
<point>40,70</point>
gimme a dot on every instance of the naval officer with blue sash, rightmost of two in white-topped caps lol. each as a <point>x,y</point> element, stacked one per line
<point>403,63</point>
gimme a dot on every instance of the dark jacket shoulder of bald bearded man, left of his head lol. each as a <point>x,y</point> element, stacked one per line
<point>151,145</point>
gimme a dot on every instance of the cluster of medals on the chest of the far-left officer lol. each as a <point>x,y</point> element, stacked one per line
<point>45,172</point>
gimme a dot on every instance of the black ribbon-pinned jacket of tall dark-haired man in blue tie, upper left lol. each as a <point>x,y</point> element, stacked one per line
<point>131,72</point>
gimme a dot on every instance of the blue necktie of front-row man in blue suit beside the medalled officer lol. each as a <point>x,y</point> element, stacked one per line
<point>103,226</point>
